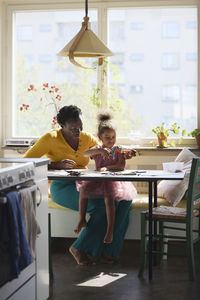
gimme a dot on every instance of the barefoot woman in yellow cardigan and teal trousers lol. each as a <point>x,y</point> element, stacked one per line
<point>65,147</point>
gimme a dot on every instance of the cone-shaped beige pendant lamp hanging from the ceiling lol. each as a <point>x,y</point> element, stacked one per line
<point>85,44</point>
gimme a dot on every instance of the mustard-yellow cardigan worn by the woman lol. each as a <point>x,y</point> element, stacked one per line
<point>54,146</point>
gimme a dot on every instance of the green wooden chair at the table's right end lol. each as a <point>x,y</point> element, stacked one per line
<point>169,215</point>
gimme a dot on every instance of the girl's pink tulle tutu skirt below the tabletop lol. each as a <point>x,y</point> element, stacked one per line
<point>118,190</point>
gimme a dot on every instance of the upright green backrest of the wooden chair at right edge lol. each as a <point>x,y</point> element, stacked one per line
<point>193,187</point>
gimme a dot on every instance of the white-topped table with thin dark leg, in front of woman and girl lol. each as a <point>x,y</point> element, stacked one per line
<point>150,176</point>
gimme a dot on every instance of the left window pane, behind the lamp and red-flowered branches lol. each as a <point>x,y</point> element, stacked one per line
<point>36,63</point>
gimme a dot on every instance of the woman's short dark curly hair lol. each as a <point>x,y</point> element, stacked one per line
<point>68,113</point>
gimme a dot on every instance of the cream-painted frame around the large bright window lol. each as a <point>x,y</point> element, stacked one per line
<point>7,28</point>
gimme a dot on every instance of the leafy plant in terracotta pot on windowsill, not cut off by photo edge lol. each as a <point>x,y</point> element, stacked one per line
<point>163,132</point>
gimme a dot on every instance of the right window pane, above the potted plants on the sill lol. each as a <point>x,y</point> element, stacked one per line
<point>157,87</point>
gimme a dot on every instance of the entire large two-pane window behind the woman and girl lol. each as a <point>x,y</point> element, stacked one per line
<point>148,70</point>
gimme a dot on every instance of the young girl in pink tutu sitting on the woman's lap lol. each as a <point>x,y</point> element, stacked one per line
<point>110,190</point>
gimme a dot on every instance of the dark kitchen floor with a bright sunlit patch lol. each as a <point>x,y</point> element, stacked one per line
<point>170,280</point>
